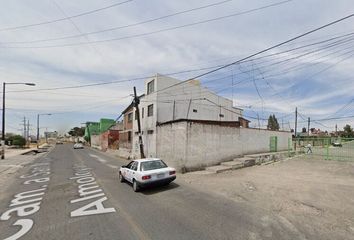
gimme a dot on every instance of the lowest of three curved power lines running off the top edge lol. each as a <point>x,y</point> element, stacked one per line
<point>153,32</point>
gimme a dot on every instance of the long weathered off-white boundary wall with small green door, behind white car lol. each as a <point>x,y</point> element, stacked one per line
<point>186,145</point>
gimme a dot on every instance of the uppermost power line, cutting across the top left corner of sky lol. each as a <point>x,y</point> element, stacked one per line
<point>65,18</point>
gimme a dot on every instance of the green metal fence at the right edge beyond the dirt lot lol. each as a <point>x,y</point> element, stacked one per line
<point>326,148</point>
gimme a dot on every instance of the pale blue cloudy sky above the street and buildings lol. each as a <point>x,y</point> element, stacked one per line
<point>113,45</point>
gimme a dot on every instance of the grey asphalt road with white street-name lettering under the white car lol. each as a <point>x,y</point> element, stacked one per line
<point>43,202</point>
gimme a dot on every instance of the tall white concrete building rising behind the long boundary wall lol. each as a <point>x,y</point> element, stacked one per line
<point>168,99</point>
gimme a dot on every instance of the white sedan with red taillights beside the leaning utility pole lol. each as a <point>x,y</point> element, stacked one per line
<point>147,172</point>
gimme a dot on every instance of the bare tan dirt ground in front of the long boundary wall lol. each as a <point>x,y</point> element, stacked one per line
<point>314,197</point>
